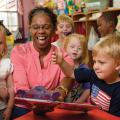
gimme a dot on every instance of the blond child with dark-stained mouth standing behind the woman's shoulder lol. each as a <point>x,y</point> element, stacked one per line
<point>65,26</point>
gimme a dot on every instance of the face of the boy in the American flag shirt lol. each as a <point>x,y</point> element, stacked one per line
<point>105,67</point>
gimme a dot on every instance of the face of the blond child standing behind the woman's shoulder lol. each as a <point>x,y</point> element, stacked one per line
<point>64,29</point>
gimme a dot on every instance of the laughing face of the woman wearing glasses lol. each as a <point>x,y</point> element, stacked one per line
<point>41,30</point>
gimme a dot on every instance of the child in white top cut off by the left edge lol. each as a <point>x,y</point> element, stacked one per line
<point>6,83</point>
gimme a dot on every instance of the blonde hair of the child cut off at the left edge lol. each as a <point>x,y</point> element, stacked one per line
<point>3,37</point>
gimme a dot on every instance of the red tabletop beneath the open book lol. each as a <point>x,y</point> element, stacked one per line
<point>60,114</point>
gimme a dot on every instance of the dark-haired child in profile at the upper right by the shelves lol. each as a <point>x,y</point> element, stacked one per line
<point>107,23</point>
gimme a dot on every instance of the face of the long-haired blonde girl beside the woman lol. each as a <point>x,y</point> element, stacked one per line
<point>74,49</point>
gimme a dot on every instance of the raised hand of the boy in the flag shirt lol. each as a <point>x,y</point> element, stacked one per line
<point>57,56</point>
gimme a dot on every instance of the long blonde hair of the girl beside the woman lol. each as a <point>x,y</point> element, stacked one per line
<point>83,43</point>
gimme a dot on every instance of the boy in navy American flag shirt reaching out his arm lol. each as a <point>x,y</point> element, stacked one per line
<point>104,79</point>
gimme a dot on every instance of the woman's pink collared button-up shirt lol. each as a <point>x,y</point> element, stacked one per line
<point>27,69</point>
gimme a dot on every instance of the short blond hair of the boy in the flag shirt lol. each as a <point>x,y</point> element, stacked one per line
<point>109,45</point>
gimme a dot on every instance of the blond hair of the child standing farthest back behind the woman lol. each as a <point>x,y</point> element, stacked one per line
<point>65,18</point>
